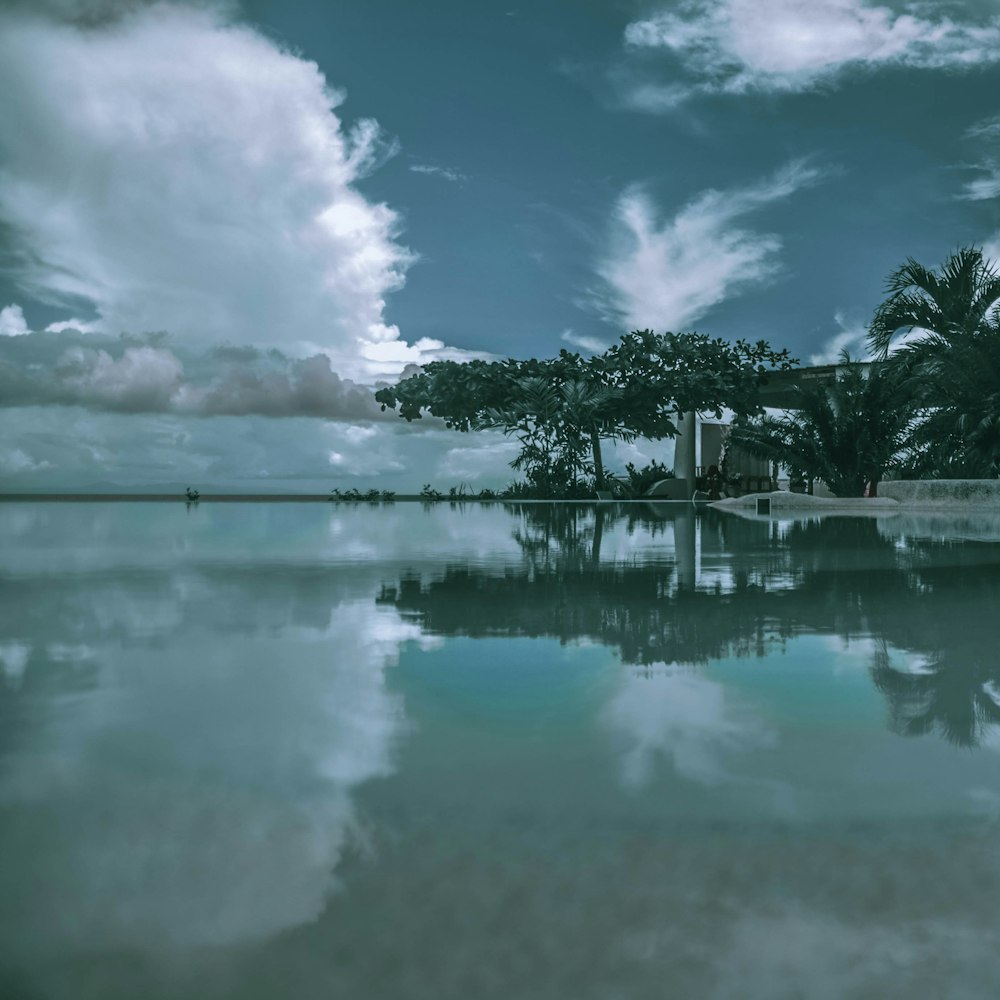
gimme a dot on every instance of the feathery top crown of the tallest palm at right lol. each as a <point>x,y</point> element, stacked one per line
<point>959,300</point>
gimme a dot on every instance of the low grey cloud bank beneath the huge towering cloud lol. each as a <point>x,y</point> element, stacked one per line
<point>135,377</point>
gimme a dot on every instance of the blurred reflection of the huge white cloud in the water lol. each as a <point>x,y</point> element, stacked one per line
<point>235,829</point>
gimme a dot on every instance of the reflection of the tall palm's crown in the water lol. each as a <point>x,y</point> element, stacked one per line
<point>959,699</point>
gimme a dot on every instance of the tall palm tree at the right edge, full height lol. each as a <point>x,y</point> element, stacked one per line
<point>953,368</point>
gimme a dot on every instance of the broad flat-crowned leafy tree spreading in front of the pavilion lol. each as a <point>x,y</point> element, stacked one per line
<point>563,407</point>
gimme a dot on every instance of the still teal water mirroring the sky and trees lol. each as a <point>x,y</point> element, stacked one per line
<point>538,751</point>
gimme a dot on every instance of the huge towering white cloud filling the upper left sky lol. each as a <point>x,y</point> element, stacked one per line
<point>177,170</point>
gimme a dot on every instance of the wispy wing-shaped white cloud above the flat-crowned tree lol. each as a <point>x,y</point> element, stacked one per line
<point>667,274</point>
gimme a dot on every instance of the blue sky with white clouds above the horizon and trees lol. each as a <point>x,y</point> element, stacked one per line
<point>222,224</point>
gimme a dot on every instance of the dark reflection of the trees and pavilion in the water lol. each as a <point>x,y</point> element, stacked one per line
<point>839,576</point>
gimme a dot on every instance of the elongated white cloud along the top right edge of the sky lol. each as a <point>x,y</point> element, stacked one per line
<point>736,46</point>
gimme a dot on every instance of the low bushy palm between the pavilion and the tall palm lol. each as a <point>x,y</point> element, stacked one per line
<point>846,433</point>
